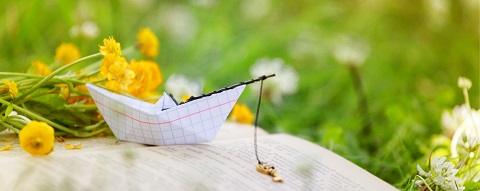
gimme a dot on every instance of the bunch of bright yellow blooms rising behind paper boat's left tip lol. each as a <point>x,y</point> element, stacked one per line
<point>139,78</point>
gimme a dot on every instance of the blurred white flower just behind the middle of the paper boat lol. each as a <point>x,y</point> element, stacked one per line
<point>181,87</point>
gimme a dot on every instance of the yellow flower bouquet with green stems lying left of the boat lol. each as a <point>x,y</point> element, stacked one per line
<point>51,100</point>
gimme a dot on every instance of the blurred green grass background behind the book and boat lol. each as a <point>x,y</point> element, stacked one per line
<point>410,75</point>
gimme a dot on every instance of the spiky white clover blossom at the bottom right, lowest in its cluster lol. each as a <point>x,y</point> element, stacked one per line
<point>441,174</point>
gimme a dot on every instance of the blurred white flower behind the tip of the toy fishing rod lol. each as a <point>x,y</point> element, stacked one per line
<point>285,81</point>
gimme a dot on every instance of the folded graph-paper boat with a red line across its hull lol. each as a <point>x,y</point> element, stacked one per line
<point>142,122</point>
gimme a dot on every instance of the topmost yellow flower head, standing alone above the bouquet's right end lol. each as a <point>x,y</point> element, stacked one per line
<point>148,43</point>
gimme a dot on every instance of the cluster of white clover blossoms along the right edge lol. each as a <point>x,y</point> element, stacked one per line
<point>461,129</point>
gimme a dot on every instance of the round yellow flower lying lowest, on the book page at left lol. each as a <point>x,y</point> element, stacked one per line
<point>37,138</point>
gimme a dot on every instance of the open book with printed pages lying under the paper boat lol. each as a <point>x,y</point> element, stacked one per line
<point>227,164</point>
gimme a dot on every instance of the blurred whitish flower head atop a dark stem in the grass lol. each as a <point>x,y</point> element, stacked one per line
<point>351,52</point>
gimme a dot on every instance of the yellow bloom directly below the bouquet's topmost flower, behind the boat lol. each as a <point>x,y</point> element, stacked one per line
<point>148,77</point>
